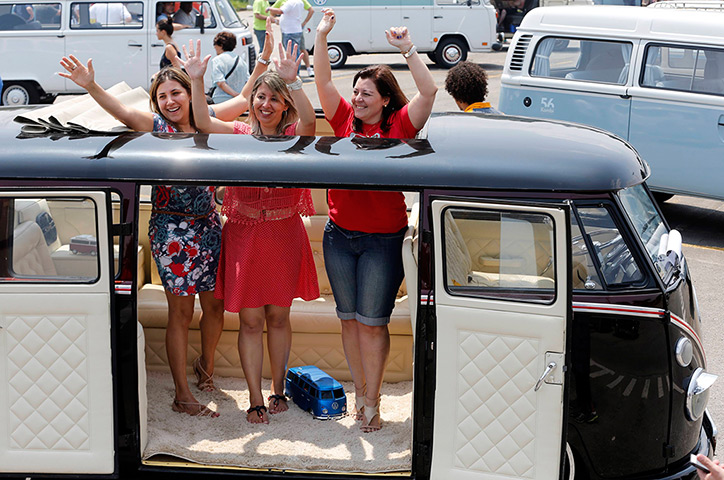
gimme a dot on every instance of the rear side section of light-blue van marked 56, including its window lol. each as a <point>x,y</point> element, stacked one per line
<point>573,79</point>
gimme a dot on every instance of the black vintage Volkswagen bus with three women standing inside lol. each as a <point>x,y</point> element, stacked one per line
<point>548,328</point>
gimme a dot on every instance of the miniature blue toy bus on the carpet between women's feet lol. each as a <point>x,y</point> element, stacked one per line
<point>314,391</point>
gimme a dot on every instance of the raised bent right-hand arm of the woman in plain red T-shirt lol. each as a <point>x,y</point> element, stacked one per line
<point>421,104</point>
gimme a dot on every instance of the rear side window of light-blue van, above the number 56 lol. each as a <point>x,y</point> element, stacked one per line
<point>582,60</point>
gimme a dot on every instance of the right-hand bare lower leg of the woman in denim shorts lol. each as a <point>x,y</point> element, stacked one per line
<point>375,343</point>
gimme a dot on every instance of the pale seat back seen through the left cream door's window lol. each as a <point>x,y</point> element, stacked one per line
<point>30,252</point>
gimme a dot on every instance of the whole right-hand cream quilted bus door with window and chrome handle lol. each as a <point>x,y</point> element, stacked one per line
<point>502,296</point>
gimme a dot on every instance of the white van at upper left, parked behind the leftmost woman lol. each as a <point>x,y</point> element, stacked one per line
<point>34,36</point>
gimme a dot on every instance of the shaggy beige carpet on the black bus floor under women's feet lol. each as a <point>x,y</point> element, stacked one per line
<point>292,440</point>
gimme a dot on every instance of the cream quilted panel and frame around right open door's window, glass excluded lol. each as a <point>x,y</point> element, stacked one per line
<point>489,422</point>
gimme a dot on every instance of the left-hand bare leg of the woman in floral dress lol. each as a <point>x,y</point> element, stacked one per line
<point>180,314</point>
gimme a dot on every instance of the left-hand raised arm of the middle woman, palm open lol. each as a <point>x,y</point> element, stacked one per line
<point>196,67</point>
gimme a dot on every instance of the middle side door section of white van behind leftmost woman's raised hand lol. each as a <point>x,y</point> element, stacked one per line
<point>114,35</point>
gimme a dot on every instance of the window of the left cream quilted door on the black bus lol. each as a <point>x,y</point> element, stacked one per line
<point>53,240</point>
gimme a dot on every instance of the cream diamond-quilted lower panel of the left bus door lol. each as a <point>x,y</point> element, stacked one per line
<point>56,403</point>
